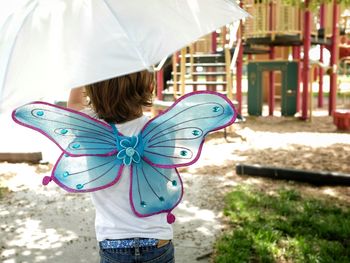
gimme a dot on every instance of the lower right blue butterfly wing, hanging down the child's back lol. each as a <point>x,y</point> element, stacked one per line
<point>154,190</point>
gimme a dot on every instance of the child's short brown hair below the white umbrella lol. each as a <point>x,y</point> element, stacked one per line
<point>121,99</point>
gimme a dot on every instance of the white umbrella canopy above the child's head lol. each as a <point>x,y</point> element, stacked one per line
<point>49,45</point>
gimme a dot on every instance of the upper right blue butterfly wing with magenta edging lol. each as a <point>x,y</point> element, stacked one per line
<point>175,137</point>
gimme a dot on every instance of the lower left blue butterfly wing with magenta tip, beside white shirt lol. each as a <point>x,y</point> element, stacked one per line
<point>86,173</point>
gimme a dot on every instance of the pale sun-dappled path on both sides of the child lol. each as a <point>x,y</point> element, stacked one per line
<point>45,224</point>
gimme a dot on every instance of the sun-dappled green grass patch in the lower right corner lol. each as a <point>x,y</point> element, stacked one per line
<point>283,227</point>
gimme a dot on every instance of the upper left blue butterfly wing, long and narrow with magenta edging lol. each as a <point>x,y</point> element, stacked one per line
<point>74,132</point>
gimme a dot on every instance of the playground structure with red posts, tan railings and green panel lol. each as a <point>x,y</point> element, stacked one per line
<point>277,34</point>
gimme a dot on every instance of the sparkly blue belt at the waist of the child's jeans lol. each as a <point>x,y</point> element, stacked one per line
<point>128,243</point>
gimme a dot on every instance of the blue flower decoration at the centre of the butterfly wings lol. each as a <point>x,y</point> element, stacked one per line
<point>128,153</point>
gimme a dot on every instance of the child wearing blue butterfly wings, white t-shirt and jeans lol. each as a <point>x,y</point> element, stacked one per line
<point>132,219</point>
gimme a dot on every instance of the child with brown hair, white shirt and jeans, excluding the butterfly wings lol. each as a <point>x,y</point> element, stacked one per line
<point>122,236</point>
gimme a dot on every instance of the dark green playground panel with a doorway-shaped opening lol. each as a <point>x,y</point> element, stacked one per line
<point>289,87</point>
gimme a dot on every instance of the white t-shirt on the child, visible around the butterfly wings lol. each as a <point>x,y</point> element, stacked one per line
<point>114,216</point>
